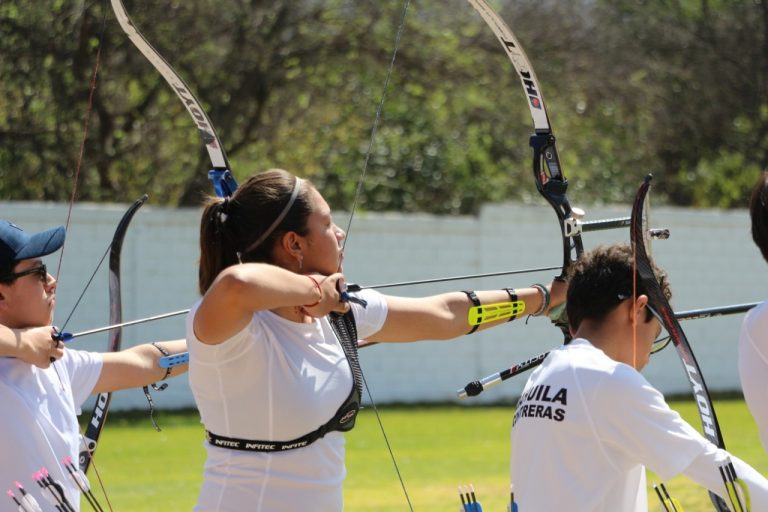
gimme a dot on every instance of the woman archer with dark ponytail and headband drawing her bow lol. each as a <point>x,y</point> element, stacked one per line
<point>273,340</point>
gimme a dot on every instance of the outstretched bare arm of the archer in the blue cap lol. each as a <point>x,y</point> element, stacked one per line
<point>138,366</point>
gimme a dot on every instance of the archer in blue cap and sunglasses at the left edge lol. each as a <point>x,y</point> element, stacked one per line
<point>42,383</point>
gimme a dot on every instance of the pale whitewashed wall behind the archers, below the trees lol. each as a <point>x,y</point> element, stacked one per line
<point>710,259</point>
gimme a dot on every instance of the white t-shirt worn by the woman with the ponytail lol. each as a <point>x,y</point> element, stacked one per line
<point>276,380</point>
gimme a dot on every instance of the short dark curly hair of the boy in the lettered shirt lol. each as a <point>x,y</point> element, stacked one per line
<point>600,278</point>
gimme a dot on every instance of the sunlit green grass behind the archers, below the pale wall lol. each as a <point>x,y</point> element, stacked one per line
<point>437,449</point>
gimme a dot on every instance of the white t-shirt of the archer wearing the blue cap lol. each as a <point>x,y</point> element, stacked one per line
<point>38,426</point>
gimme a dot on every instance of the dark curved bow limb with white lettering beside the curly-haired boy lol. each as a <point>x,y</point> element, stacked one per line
<point>656,298</point>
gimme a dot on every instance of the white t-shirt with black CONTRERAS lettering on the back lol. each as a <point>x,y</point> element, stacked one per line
<point>584,430</point>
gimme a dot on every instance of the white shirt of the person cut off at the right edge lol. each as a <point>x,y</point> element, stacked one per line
<point>753,366</point>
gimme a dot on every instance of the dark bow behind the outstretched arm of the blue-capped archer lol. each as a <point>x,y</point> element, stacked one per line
<point>100,409</point>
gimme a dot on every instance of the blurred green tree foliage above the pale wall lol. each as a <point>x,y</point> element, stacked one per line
<point>674,87</point>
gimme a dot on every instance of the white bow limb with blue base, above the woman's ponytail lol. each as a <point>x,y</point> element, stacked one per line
<point>223,181</point>
